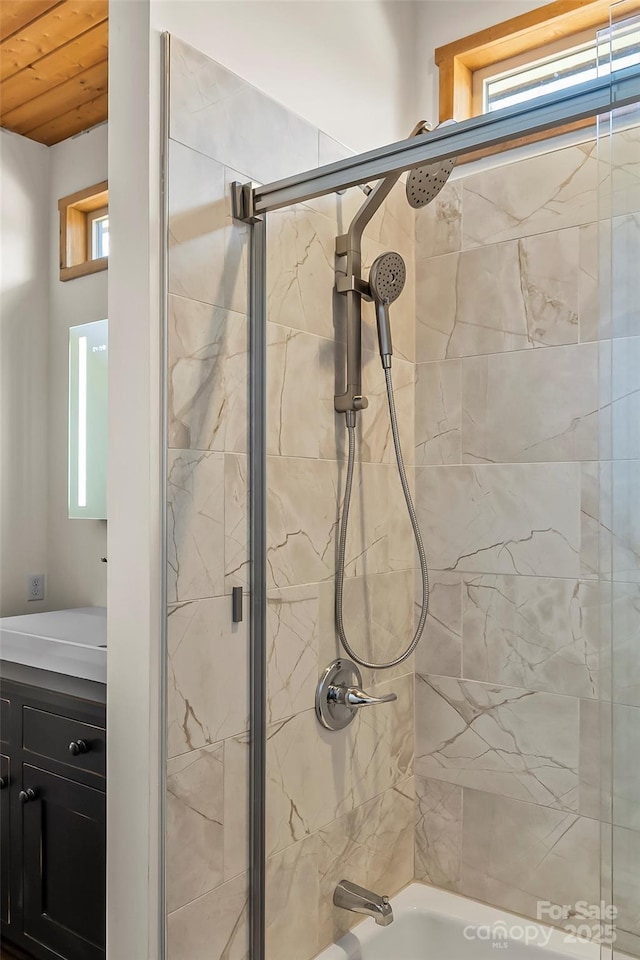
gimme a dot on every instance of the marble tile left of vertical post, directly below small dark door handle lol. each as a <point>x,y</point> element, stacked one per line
<point>204,706</point>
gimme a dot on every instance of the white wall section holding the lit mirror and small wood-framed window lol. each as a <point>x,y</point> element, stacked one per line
<point>75,575</point>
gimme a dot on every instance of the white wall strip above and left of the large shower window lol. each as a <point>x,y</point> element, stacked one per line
<point>442,21</point>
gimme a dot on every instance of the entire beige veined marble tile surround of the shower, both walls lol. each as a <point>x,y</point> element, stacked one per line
<point>484,777</point>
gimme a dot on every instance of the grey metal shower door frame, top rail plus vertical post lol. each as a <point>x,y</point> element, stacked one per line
<point>251,204</point>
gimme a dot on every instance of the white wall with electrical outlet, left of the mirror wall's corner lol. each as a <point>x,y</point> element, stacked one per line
<point>24,307</point>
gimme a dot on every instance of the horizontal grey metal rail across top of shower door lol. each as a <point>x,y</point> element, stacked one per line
<point>589,99</point>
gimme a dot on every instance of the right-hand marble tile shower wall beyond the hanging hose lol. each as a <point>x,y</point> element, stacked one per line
<point>526,453</point>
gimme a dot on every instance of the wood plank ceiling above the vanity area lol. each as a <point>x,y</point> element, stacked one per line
<point>53,67</point>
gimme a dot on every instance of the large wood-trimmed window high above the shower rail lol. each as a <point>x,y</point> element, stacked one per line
<point>536,38</point>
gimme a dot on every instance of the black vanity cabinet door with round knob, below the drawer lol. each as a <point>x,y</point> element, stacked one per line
<point>64,858</point>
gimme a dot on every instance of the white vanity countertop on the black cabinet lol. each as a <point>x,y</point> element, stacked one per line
<point>72,642</point>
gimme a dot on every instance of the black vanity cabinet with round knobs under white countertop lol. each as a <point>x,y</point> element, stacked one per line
<point>53,806</point>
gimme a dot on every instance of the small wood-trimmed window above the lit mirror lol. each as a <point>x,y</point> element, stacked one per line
<point>84,232</point>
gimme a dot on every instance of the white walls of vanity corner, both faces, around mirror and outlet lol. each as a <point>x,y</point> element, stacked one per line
<point>37,310</point>
